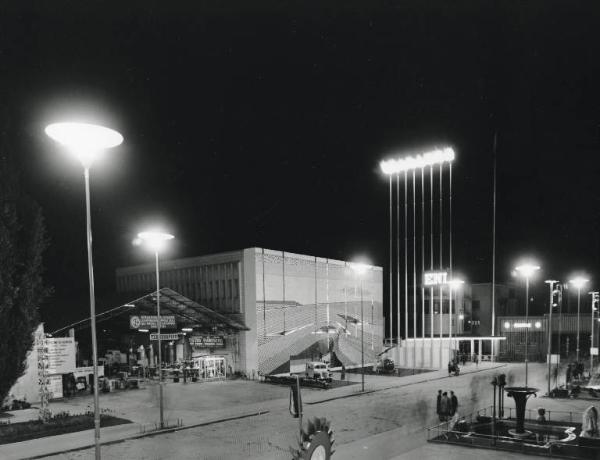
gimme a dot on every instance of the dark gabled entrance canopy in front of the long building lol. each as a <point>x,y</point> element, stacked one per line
<point>188,314</point>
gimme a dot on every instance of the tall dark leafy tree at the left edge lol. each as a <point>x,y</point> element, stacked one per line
<point>22,242</point>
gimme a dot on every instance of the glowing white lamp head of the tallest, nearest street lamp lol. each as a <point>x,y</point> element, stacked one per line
<point>84,140</point>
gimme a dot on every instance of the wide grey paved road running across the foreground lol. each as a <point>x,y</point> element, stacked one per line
<point>384,424</point>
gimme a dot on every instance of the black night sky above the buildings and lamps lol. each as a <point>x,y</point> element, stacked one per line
<point>263,125</point>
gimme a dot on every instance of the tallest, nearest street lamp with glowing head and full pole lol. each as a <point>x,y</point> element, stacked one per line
<point>87,142</point>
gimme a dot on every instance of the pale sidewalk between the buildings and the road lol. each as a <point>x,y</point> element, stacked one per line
<point>141,408</point>
